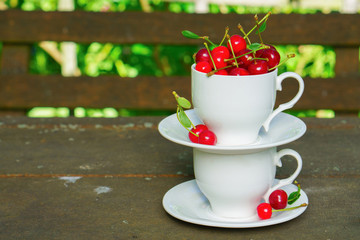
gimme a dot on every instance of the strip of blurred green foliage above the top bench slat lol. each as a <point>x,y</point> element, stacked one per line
<point>293,6</point>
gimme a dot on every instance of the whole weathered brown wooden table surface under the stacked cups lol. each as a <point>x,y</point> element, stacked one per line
<point>105,179</point>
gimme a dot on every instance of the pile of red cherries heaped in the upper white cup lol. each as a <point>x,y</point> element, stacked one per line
<point>236,59</point>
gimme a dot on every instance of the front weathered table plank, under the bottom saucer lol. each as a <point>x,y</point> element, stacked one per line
<point>51,208</point>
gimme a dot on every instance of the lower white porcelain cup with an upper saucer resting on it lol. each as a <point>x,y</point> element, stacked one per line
<point>235,184</point>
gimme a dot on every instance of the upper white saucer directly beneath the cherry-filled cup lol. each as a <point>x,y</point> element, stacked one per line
<point>284,128</point>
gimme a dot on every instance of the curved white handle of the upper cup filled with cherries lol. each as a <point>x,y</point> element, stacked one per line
<point>289,104</point>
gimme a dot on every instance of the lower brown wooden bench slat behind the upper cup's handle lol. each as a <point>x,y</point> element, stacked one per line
<point>26,91</point>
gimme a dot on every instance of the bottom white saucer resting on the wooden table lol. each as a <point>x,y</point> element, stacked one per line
<point>186,202</point>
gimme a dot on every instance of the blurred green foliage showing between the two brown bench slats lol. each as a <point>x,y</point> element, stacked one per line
<point>166,60</point>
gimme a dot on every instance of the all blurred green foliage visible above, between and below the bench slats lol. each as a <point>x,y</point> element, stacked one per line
<point>161,60</point>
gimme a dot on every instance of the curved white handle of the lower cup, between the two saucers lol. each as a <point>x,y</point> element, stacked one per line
<point>289,180</point>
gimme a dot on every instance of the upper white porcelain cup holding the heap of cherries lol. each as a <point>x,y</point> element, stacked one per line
<point>236,107</point>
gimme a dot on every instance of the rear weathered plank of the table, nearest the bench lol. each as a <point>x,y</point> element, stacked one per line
<point>96,147</point>
